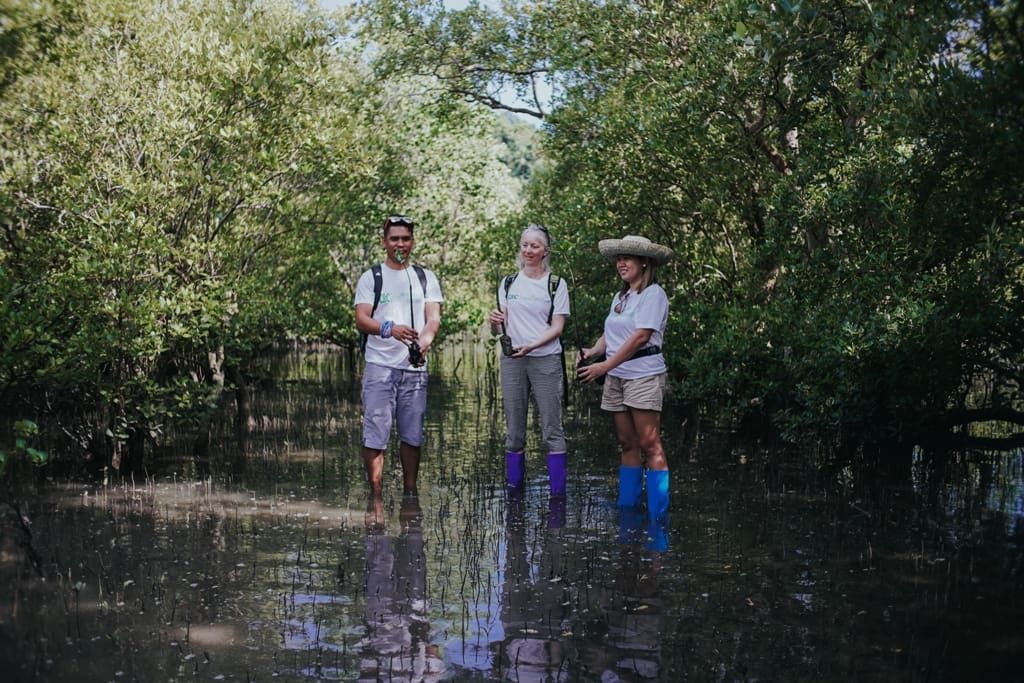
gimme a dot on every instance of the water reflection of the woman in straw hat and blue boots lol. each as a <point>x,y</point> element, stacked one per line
<point>623,643</point>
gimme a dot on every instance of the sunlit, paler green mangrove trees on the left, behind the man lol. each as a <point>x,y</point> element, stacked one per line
<point>184,185</point>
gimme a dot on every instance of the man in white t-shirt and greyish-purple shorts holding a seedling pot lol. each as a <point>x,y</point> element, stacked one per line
<point>399,308</point>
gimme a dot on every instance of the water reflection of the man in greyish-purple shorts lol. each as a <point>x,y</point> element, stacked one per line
<point>398,646</point>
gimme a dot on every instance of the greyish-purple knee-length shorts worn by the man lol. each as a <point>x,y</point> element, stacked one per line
<point>393,396</point>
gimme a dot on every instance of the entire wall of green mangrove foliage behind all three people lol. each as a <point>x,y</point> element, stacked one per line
<point>185,185</point>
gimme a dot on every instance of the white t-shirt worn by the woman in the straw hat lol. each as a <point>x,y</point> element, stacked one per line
<point>649,311</point>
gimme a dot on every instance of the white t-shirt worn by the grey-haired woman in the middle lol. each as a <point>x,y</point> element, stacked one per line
<point>528,305</point>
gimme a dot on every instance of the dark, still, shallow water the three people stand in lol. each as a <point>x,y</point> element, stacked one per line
<point>776,567</point>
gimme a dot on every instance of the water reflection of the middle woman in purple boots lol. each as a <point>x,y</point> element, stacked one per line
<point>535,601</point>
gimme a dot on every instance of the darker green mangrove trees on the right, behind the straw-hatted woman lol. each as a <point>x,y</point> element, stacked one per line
<point>840,182</point>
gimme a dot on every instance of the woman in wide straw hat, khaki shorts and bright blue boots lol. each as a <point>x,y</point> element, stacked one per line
<point>634,390</point>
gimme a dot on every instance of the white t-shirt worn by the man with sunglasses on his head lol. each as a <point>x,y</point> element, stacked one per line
<point>395,306</point>
